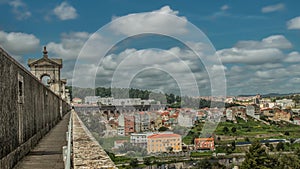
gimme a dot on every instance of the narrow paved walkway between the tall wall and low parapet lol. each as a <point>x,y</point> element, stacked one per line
<point>48,152</point>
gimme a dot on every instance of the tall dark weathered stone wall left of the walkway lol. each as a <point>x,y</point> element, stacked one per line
<point>28,110</point>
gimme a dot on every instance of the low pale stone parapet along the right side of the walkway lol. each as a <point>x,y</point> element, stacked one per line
<point>87,153</point>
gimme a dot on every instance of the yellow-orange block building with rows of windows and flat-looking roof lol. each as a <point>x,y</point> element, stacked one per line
<point>163,142</point>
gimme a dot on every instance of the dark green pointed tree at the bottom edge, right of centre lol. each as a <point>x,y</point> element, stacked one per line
<point>256,157</point>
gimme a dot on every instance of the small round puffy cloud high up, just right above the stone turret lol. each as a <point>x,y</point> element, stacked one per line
<point>65,11</point>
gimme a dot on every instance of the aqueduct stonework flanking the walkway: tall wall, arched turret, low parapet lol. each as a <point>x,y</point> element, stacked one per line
<point>29,109</point>
